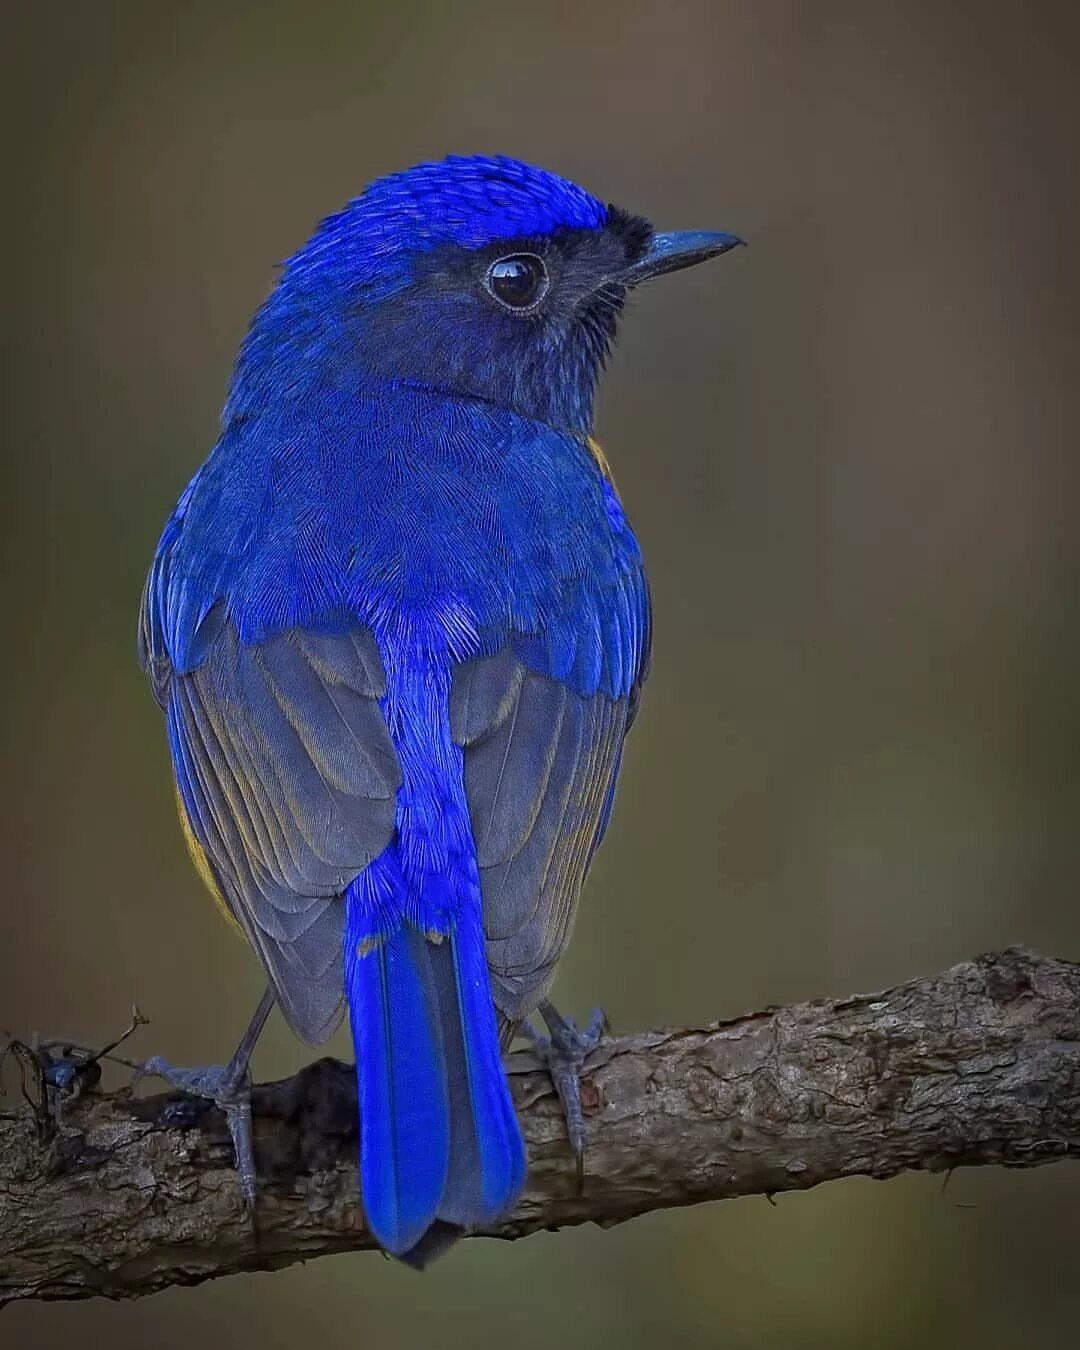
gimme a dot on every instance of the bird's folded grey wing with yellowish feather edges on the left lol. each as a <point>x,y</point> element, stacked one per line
<point>287,784</point>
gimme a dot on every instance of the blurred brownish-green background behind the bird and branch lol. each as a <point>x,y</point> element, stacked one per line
<point>851,456</point>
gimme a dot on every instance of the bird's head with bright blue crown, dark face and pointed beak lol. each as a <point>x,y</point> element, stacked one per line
<point>480,277</point>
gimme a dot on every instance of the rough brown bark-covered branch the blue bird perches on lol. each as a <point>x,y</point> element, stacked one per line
<point>978,1066</point>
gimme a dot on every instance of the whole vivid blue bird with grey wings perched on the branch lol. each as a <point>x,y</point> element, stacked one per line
<point>399,626</point>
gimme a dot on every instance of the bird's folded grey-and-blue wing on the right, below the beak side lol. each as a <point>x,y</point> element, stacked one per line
<point>543,743</point>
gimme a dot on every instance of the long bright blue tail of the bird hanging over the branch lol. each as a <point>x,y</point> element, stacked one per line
<point>441,1148</point>
